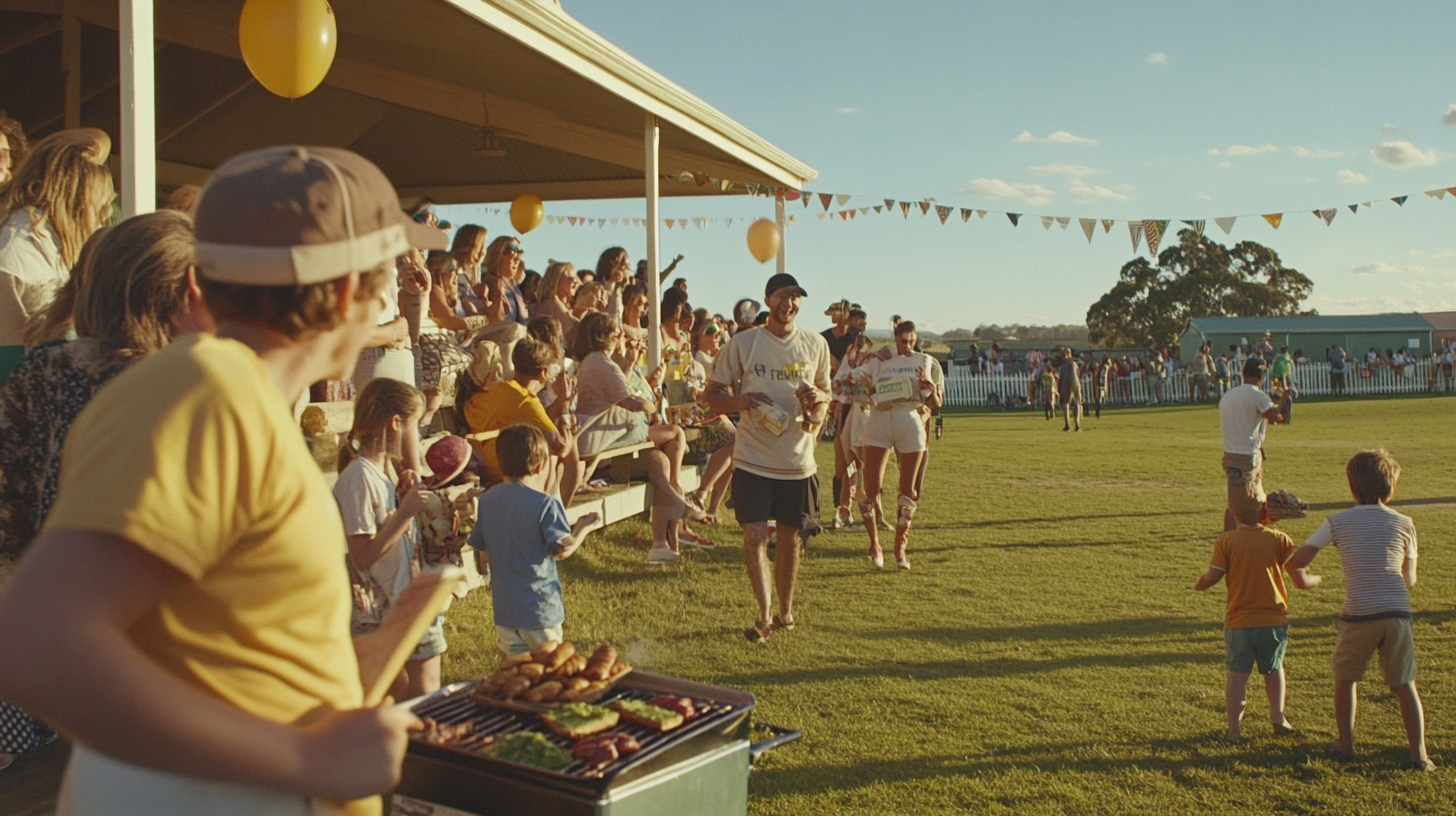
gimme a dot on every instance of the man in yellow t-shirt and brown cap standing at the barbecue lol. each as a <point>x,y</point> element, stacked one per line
<point>186,613</point>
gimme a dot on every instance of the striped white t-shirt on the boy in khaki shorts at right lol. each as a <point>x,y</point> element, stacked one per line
<point>1374,543</point>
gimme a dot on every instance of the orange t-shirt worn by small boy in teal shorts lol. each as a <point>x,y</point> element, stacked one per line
<point>1254,565</point>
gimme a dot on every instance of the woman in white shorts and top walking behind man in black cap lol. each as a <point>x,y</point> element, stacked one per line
<point>899,385</point>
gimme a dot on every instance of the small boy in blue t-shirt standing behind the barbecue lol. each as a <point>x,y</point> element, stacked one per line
<point>525,531</point>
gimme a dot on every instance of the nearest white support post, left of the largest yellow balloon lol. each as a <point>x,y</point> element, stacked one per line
<point>139,119</point>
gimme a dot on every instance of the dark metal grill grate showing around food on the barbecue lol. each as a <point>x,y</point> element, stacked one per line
<point>490,723</point>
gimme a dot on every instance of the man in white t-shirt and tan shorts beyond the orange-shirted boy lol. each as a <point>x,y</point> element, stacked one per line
<point>1246,413</point>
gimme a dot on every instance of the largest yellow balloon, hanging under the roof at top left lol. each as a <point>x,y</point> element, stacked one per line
<point>288,44</point>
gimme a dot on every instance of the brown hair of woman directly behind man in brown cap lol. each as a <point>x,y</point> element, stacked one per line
<point>136,285</point>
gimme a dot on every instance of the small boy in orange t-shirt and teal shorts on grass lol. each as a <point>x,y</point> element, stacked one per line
<point>1256,624</point>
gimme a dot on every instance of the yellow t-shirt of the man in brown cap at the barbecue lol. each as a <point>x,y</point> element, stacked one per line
<point>194,457</point>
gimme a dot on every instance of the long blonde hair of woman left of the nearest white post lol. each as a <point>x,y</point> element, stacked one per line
<point>63,183</point>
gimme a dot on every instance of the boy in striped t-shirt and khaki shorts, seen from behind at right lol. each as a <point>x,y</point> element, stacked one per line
<point>1378,552</point>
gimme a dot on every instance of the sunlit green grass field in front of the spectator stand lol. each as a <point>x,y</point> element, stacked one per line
<point>1048,654</point>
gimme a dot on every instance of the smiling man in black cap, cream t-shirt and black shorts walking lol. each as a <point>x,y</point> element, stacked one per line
<point>772,377</point>
